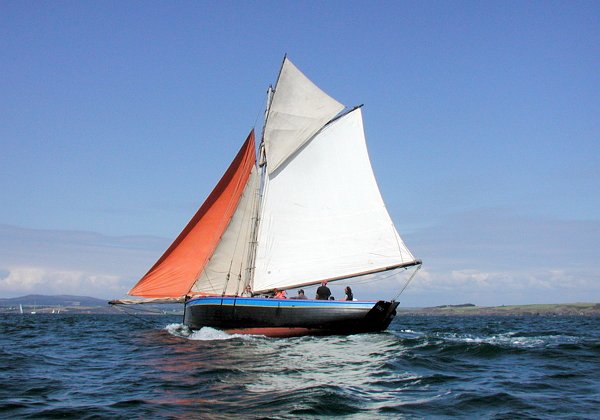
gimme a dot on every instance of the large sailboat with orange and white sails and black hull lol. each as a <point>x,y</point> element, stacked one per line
<point>301,210</point>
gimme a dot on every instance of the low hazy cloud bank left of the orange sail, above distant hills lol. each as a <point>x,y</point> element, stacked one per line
<point>78,263</point>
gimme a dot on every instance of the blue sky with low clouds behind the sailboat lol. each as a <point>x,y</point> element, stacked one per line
<point>117,118</point>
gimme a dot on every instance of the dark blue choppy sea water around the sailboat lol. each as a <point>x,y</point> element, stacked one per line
<point>120,366</point>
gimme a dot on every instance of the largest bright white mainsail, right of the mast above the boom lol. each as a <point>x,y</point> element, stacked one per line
<point>323,216</point>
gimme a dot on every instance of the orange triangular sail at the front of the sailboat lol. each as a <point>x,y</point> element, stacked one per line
<point>175,272</point>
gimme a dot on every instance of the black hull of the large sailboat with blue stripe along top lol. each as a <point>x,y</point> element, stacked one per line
<point>288,317</point>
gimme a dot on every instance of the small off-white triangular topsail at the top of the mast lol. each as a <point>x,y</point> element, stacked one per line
<point>298,110</point>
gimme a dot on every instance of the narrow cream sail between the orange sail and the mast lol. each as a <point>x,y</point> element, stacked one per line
<point>229,261</point>
